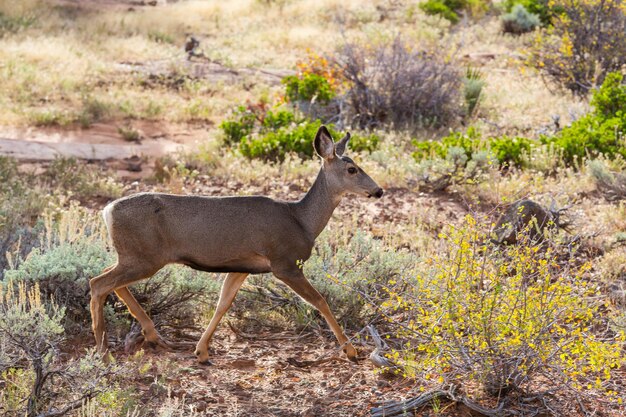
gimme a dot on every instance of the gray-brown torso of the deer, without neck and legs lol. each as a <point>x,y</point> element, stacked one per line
<point>238,234</point>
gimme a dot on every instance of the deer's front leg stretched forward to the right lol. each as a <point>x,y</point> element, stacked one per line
<point>296,280</point>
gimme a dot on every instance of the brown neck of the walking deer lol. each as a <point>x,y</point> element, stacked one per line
<point>317,206</point>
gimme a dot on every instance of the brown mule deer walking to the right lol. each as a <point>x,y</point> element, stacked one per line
<point>238,235</point>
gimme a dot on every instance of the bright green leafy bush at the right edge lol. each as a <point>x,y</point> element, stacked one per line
<point>601,132</point>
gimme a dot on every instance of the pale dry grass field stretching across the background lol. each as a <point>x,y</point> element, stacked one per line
<point>70,52</point>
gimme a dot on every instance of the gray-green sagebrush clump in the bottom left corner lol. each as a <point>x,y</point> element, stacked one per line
<point>35,378</point>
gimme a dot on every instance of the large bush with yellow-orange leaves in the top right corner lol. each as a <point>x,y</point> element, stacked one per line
<point>585,43</point>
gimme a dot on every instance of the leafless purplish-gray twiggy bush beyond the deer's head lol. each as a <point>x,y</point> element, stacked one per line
<point>394,85</point>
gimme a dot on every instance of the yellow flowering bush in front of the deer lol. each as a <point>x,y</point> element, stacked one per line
<point>503,319</point>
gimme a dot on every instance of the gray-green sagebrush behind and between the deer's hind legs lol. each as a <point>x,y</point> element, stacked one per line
<point>74,250</point>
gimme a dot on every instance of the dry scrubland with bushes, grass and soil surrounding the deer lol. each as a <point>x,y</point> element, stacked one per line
<point>455,121</point>
